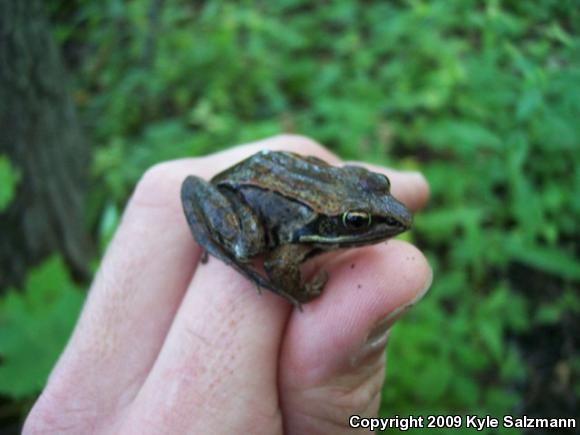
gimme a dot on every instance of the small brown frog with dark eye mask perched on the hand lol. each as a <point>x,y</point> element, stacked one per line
<point>274,210</point>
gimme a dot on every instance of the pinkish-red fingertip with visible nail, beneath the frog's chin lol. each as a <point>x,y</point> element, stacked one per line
<point>331,363</point>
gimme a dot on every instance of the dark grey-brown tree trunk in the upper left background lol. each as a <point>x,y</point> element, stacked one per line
<point>40,133</point>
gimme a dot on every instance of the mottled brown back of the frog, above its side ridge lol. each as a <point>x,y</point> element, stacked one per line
<point>308,180</point>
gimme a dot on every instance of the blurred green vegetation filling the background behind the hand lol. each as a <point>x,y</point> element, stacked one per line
<point>483,96</point>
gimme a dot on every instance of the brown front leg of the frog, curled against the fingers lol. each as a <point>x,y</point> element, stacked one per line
<point>283,268</point>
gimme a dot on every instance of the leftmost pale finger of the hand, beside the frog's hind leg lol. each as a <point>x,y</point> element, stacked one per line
<point>129,309</point>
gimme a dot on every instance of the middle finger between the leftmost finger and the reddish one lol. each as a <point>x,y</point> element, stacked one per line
<point>220,354</point>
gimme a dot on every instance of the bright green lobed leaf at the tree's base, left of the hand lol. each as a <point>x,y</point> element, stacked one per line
<point>35,325</point>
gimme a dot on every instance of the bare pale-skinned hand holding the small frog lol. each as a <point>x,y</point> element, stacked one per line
<point>166,345</point>
